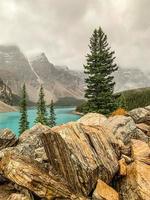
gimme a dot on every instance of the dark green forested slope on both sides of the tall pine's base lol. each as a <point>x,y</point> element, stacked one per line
<point>129,99</point>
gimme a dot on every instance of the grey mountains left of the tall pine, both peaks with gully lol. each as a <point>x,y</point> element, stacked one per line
<point>15,69</point>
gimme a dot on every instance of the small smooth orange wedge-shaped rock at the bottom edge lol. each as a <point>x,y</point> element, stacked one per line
<point>104,192</point>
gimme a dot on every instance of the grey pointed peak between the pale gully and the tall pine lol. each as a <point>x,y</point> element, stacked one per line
<point>58,81</point>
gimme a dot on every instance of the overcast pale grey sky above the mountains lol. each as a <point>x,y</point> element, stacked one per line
<point>61,28</point>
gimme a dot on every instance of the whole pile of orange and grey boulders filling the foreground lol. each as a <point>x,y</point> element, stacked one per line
<point>94,158</point>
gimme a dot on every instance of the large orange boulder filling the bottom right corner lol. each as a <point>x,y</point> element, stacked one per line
<point>136,185</point>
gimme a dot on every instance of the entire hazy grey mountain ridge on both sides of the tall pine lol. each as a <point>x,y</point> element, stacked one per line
<point>58,81</point>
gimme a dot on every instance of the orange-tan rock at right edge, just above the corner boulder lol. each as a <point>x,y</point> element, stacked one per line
<point>140,151</point>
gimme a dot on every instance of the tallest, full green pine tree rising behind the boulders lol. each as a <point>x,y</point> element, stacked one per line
<point>99,68</point>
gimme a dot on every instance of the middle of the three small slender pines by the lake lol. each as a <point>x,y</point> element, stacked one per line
<point>41,109</point>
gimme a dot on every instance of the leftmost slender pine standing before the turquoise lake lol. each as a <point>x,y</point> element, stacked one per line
<point>23,122</point>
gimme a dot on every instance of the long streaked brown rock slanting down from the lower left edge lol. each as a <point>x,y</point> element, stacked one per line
<point>28,174</point>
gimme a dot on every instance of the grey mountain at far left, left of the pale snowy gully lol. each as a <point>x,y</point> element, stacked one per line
<point>15,70</point>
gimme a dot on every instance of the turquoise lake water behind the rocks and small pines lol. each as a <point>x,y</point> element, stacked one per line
<point>10,120</point>
